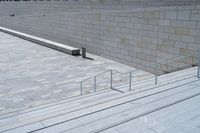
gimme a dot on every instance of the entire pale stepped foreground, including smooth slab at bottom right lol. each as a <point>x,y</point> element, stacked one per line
<point>118,112</point>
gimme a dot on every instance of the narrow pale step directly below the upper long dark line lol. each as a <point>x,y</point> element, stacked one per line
<point>118,109</point>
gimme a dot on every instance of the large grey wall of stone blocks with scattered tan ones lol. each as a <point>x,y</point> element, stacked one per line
<point>137,36</point>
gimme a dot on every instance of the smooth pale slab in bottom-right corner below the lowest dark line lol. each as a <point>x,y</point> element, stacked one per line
<point>169,120</point>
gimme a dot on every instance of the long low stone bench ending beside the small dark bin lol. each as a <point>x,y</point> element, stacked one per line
<point>54,45</point>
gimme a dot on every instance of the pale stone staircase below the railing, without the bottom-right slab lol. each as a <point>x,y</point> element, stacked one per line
<point>105,110</point>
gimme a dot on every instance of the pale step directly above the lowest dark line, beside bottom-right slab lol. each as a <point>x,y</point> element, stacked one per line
<point>120,118</point>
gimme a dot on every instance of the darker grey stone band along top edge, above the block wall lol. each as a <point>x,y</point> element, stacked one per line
<point>57,6</point>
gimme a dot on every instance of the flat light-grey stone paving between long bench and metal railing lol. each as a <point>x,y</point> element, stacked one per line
<point>31,74</point>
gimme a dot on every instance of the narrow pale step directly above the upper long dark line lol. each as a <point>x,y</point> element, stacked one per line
<point>28,119</point>
